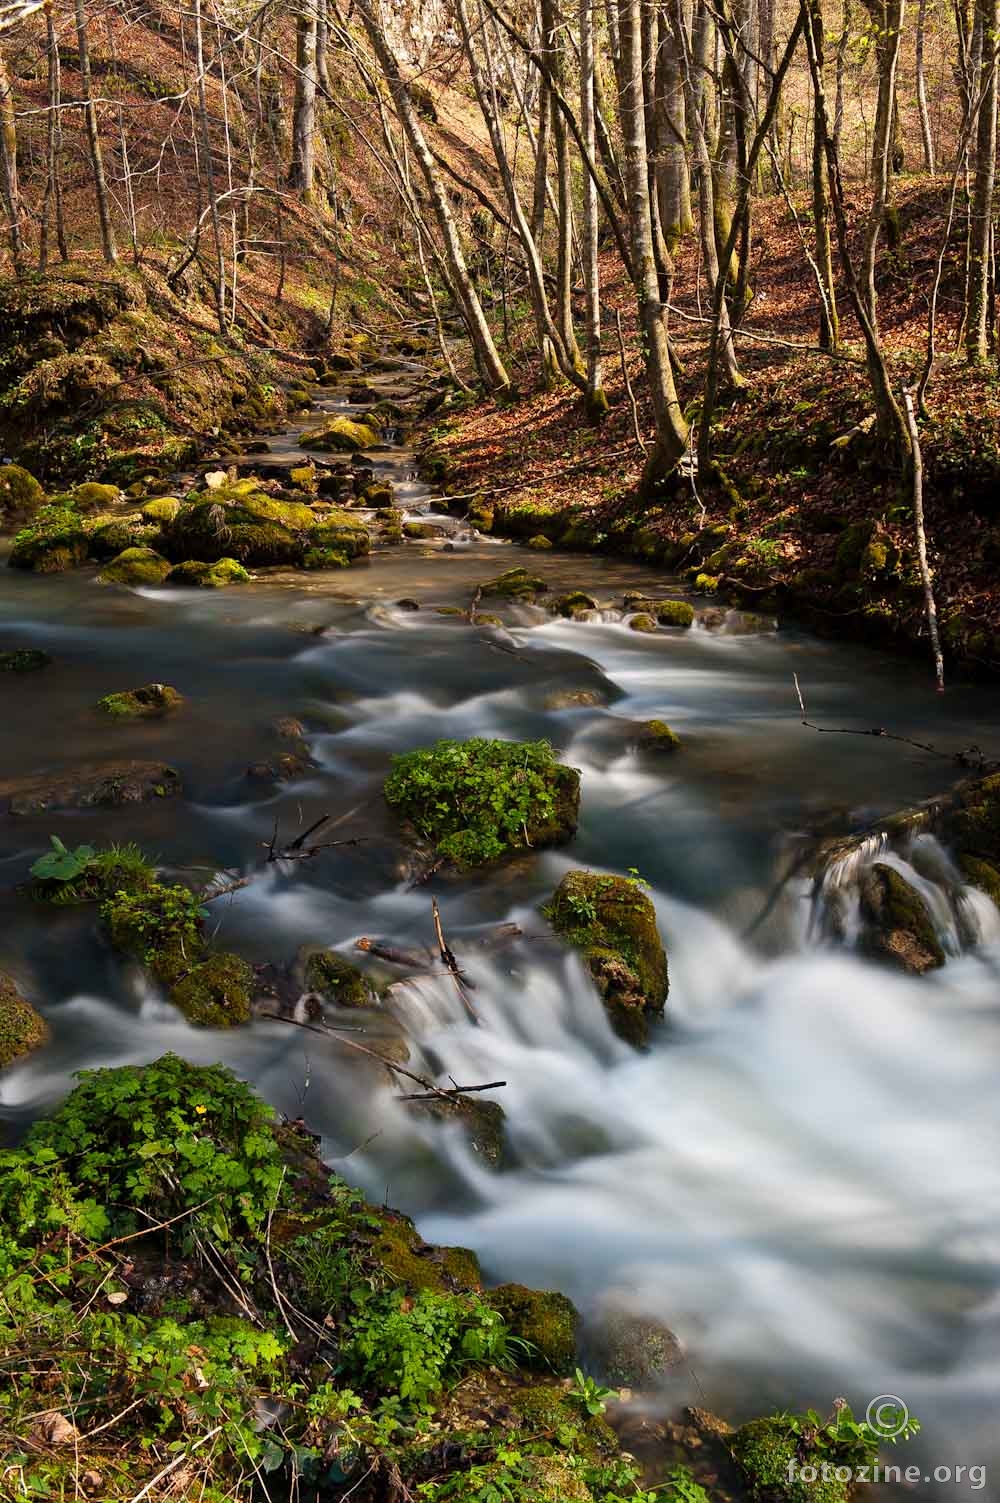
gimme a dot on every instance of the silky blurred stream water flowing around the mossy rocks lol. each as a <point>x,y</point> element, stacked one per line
<point>799,1178</point>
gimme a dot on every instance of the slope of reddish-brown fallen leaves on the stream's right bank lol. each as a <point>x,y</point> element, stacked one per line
<point>795,521</point>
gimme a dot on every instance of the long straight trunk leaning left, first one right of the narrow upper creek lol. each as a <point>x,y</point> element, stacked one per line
<point>486,357</point>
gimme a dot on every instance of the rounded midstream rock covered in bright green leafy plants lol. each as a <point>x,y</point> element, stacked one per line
<point>479,800</point>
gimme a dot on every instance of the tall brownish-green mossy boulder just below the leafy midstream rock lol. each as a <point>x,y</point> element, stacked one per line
<point>613,924</point>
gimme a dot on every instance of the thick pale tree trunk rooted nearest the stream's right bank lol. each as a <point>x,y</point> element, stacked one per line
<point>671,428</point>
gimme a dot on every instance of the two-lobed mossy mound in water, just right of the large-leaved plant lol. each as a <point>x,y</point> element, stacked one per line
<point>165,928</point>
